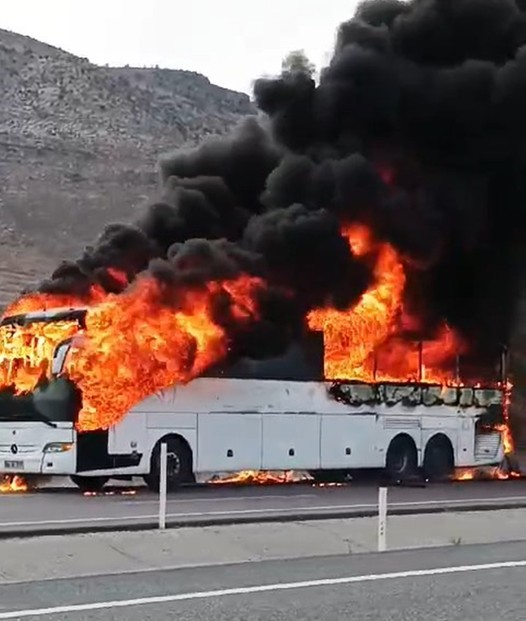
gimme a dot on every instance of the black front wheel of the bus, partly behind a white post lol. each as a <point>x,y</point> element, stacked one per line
<point>179,465</point>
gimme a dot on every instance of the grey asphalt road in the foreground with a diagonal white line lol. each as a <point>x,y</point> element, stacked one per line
<point>481,583</point>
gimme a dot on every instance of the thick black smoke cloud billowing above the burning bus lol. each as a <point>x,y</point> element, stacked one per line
<point>416,127</point>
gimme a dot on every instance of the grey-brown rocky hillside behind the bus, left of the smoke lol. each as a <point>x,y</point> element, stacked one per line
<point>79,145</point>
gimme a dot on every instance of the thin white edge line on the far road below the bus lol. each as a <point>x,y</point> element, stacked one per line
<point>270,510</point>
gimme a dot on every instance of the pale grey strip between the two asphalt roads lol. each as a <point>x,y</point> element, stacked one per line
<point>107,553</point>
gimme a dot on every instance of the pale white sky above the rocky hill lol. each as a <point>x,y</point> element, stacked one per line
<point>232,42</point>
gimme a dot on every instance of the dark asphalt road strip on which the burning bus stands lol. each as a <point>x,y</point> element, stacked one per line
<point>70,511</point>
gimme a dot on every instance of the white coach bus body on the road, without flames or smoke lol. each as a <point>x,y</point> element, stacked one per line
<point>270,415</point>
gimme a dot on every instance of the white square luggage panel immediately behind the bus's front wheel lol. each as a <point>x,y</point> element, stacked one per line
<point>228,442</point>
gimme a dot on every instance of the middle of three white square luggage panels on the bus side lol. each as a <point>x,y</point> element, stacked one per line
<point>291,441</point>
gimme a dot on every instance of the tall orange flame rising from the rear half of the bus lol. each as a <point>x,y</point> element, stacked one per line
<point>361,343</point>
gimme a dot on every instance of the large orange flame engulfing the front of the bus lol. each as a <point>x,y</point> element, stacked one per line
<point>135,344</point>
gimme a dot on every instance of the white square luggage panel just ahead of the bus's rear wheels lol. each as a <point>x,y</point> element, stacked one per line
<point>351,441</point>
